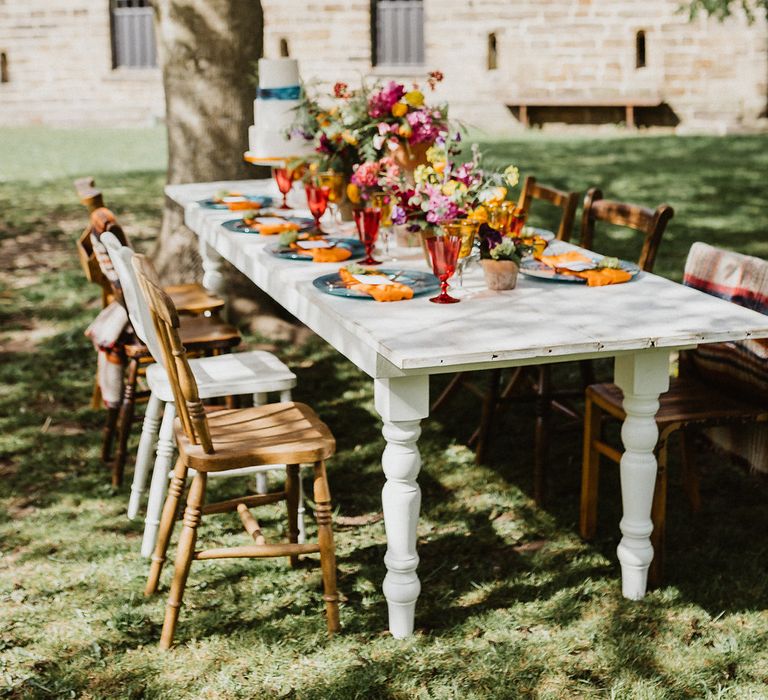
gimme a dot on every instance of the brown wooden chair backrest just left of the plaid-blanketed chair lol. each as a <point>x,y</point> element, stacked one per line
<point>651,223</point>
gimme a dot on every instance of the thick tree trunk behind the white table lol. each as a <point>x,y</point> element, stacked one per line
<point>207,50</point>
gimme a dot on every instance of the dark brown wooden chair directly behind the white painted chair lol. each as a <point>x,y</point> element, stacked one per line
<point>202,335</point>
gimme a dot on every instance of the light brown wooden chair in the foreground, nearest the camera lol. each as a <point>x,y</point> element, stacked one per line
<point>289,433</point>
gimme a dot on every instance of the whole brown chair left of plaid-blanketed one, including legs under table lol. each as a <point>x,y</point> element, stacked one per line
<point>650,224</point>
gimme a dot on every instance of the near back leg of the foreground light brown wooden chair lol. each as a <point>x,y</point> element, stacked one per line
<point>184,554</point>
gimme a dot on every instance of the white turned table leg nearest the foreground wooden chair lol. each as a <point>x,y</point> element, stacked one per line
<point>402,402</point>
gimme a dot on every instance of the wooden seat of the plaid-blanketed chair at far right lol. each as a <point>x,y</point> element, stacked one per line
<point>687,401</point>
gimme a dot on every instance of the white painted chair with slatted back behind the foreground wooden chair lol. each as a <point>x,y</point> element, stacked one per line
<point>254,372</point>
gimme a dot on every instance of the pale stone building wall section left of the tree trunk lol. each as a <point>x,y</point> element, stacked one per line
<point>60,72</point>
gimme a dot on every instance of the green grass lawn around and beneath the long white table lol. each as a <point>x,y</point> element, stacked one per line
<point>515,604</point>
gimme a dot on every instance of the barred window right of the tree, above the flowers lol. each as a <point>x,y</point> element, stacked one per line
<point>397,32</point>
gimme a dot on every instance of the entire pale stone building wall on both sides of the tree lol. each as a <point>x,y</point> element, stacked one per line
<point>713,76</point>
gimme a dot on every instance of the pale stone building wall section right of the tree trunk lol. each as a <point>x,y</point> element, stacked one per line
<point>713,76</point>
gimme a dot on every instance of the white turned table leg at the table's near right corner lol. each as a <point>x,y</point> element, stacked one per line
<point>642,377</point>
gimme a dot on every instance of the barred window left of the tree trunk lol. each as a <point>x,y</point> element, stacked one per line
<point>133,34</point>
